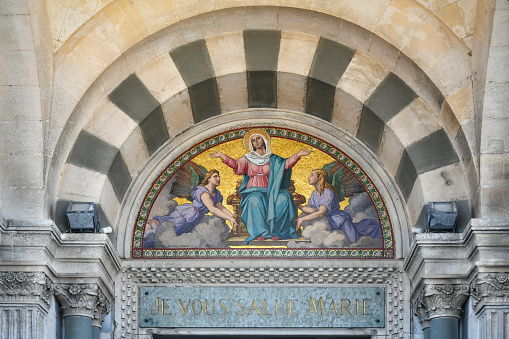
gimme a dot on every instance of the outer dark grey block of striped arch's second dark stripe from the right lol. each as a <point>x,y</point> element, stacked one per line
<point>390,97</point>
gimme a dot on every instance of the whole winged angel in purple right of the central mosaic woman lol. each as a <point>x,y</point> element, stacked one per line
<point>332,184</point>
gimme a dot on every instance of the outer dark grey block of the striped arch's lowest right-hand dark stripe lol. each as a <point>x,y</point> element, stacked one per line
<point>431,152</point>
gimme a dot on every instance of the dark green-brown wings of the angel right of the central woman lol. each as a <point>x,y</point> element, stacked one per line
<point>344,182</point>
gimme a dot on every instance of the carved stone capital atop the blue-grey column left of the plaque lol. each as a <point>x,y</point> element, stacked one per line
<point>80,300</point>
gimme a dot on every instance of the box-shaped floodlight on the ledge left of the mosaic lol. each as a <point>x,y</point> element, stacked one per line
<point>82,217</point>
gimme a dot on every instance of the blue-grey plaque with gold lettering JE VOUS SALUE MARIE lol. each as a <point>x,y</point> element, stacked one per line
<point>210,306</point>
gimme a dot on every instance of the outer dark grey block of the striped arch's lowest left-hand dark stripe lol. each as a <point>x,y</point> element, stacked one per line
<point>91,152</point>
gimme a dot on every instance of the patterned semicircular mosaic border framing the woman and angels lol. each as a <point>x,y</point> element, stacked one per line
<point>387,252</point>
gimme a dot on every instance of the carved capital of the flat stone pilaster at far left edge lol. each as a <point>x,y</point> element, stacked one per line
<point>26,287</point>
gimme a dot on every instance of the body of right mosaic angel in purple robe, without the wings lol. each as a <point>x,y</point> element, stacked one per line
<point>324,201</point>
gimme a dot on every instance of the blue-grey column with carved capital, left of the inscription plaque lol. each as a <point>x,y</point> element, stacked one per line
<point>81,304</point>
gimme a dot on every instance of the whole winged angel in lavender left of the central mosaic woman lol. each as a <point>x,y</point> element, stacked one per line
<point>199,186</point>
